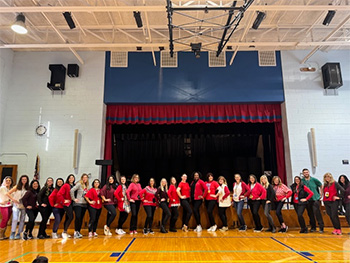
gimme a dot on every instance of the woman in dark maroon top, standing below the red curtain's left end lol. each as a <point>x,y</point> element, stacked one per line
<point>109,202</point>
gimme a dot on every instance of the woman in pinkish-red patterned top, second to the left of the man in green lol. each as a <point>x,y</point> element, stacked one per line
<point>282,193</point>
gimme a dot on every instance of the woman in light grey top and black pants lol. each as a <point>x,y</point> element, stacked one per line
<point>77,193</point>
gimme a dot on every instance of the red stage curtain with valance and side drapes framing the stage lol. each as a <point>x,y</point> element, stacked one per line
<point>197,113</point>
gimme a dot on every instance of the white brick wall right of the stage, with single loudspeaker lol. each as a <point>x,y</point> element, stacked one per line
<point>307,107</point>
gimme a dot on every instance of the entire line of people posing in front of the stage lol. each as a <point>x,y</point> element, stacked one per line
<point>71,198</point>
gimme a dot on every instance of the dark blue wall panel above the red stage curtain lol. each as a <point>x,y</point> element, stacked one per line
<point>193,81</point>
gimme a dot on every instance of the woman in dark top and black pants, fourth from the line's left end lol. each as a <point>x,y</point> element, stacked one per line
<point>44,207</point>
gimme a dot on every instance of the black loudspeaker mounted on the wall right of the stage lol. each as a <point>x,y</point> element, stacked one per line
<point>331,75</point>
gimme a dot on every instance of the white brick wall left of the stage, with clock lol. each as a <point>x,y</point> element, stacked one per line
<point>79,107</point>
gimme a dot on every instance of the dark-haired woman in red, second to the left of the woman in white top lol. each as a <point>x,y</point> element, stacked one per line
<point>197,194</point>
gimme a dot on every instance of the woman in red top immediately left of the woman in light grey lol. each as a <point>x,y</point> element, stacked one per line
<point>65,199</point>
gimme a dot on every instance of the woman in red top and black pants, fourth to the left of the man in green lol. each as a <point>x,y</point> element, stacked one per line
<point>257,193</point>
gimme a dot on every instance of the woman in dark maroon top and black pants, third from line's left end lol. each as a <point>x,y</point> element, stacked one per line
<point>30,200</point>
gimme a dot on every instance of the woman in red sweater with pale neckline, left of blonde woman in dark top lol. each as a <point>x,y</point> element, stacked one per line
<point>148,198</point>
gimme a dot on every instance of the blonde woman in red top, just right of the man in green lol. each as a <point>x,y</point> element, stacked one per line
<point>332,192</point>
